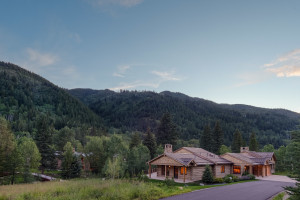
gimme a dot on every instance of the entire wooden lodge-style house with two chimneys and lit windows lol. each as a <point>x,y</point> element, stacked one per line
<point>188,163</point>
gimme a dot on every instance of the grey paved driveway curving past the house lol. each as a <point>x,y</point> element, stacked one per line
<point>257,190</point>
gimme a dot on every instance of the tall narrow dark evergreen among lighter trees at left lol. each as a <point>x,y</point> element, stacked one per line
<point>43,141</point>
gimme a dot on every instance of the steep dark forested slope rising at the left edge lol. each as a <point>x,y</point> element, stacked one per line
<point>24,96</point>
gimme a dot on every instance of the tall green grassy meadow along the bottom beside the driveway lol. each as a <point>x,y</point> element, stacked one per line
<point>95,189</point>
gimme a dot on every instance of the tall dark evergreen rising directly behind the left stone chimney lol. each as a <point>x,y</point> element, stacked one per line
<point>167,133</point>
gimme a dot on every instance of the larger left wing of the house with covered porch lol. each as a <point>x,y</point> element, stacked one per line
<point>188,163</point>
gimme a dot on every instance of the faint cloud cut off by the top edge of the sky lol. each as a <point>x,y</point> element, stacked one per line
<point>123,3</point>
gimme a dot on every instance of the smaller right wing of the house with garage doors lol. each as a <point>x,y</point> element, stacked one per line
<point>256,163</point>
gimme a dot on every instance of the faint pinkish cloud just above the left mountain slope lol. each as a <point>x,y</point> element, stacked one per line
<point>37,58</point>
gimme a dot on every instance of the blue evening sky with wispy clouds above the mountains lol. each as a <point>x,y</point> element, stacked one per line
<point>235,52</point>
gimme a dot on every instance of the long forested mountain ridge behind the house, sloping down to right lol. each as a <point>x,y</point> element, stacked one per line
<point>131,110</point>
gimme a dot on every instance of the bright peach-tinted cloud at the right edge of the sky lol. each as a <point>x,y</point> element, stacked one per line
<point>287,65</point>
